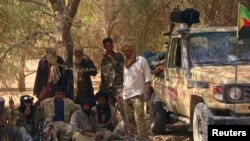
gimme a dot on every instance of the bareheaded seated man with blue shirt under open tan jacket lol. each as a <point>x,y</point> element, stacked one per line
<point>57,112</point>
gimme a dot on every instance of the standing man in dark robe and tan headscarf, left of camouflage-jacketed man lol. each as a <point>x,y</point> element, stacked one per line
<point>83,68</point>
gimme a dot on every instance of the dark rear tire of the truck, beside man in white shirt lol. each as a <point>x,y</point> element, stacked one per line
<point>159,118</point>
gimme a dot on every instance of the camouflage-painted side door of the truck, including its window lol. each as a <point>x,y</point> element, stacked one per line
<point>174,78</point>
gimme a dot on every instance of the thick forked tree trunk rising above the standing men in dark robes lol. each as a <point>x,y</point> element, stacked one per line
<point>64,16</point>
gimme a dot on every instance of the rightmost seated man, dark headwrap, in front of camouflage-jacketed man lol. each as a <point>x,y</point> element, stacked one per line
<point>106,115</point>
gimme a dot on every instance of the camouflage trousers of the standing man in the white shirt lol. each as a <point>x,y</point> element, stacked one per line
<point>134,108</point>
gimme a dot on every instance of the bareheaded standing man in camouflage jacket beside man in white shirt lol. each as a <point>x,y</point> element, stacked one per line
<point>111,71</point>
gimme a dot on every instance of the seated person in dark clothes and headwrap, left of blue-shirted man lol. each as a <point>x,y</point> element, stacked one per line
<point>27,116</point>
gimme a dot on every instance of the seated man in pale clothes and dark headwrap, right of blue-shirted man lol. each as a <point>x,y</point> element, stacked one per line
<point>83,124</point>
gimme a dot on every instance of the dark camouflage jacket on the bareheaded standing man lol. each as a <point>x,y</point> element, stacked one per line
<point>112,72</point>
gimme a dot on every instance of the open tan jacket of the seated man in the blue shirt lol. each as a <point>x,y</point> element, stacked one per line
<point>47,109</point>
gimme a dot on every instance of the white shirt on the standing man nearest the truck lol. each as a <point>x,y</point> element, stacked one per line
<point>135,78</point>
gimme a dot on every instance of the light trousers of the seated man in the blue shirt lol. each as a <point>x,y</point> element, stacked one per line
<point>61,130</point>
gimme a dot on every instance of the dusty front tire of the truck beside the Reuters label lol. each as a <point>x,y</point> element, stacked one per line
<point>200,122</point>
